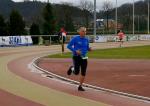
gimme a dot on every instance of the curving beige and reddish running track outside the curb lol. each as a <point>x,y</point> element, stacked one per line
<point>16,79</point>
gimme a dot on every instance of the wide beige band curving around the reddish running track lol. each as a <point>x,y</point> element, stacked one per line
<point>35,92</point>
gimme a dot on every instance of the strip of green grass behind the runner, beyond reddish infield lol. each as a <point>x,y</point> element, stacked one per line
<point>141,52</point>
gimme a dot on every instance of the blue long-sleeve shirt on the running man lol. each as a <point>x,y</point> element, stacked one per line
<point>79,43</point>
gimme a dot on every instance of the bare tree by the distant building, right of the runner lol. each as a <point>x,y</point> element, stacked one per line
<point>107,7</point>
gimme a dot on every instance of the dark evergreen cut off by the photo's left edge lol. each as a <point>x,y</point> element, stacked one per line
<point>3,26</point>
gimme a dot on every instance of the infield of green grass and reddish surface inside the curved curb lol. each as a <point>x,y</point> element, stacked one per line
<point>121,69</point>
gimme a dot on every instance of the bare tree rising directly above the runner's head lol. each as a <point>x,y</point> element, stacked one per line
<point>86,7</point>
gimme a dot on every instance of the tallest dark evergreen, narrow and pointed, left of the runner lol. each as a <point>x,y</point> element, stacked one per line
<point>49,26</point>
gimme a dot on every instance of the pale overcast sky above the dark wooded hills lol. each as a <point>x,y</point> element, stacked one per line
<point>76,2</point>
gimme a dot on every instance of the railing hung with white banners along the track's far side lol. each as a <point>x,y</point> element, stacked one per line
<point>55,39</point>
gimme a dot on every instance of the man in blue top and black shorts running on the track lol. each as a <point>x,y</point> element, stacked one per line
<point>79,46</point>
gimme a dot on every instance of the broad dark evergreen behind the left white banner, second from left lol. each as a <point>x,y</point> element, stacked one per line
<point>16,24</point>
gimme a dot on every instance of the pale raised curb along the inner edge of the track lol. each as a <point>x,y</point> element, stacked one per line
<point>60,78</point>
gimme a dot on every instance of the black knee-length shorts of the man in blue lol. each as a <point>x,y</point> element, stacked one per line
<point>79,63</point>
